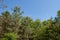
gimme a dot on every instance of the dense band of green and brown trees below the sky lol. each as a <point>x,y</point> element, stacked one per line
<point>14,26</point>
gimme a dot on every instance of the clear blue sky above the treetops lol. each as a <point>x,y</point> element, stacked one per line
<point>42,9</point>
